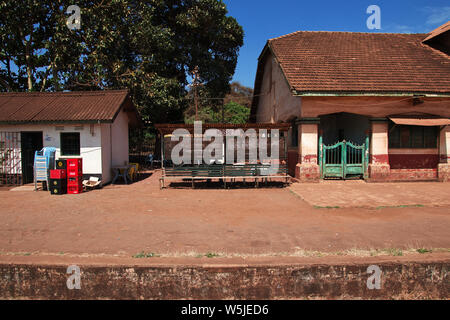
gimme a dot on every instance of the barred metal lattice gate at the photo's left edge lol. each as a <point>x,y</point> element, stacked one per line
<point>10,158</point>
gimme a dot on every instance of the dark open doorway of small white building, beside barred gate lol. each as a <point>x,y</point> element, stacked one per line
<point>30,143</point>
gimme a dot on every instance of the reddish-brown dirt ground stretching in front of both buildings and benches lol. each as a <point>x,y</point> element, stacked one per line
<point>123,220</point>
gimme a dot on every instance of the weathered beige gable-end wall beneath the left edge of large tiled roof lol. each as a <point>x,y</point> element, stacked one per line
<point>276,103</point>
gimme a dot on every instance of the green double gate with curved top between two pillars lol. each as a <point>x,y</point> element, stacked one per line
<point>344,160</point>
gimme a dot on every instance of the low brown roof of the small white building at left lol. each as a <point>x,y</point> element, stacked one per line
<point>83,106</point>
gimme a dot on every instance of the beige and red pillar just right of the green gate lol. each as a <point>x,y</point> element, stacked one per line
<point>379,168</point>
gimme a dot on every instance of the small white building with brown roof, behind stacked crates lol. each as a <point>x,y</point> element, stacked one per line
<point>89,125</point>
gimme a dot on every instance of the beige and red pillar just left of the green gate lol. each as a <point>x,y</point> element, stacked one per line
<point>307,169</point>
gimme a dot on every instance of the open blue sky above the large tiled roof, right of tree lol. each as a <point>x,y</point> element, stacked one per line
<point>265,19</point>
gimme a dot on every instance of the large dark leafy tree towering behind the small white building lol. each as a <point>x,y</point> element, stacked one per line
<point>148,47</point>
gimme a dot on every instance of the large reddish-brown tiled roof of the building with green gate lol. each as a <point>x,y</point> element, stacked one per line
<point>361,63</point>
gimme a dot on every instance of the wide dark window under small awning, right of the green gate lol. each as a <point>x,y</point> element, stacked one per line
<point>414,137</point>
